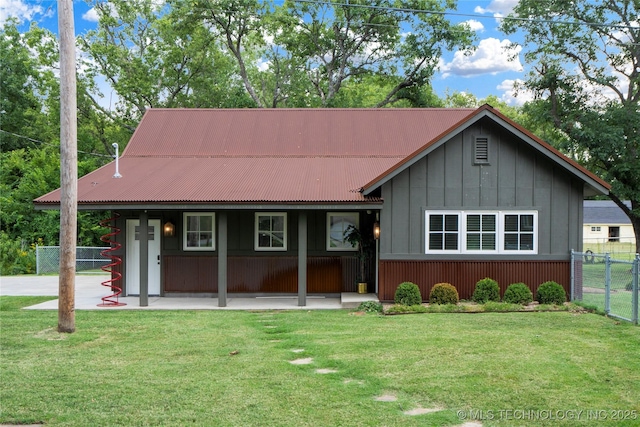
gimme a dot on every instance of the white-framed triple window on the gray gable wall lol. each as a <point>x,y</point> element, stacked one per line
<point>499,232</point>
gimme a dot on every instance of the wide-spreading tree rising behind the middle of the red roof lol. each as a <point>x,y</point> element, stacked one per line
<point>310,50</point>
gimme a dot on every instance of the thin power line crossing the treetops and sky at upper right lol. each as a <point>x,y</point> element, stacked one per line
<point>470,15</point>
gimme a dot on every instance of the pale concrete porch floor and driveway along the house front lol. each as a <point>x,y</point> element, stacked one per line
<point>89,293</point>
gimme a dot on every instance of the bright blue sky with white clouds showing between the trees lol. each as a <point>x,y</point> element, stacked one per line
<point>488,71</point>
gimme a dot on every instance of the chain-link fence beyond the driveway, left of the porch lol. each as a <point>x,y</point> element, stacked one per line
<point>88,258</point>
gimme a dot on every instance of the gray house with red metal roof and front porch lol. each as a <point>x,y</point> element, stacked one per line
<point>254,201</point>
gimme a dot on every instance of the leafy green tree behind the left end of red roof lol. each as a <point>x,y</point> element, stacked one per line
<point>152,58</point>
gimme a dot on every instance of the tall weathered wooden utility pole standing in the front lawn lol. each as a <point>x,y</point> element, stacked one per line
<point>68,168</point>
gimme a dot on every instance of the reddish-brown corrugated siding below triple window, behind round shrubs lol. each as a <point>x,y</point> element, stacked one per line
<point>465,274</point>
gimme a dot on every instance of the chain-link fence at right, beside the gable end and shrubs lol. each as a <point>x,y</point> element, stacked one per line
<point>609,284</point>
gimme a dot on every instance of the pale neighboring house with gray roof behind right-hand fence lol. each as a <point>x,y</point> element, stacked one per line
<point>605,222</point>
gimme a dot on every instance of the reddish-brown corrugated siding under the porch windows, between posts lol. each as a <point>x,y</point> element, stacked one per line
<point>264,274</point>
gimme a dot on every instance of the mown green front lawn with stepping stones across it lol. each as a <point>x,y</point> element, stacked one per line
<point>174,368</point>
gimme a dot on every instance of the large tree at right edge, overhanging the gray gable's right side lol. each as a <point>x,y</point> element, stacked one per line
<point>586,76</point>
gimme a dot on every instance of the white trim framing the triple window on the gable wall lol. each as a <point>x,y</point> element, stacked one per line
<point>500,232</point>
